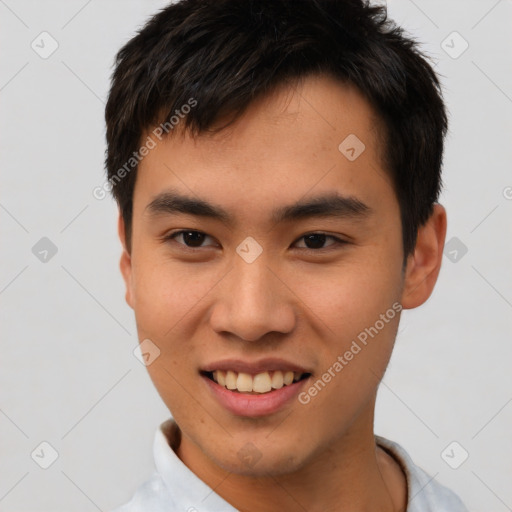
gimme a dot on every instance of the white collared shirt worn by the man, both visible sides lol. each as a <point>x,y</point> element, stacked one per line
<point>175,488</point>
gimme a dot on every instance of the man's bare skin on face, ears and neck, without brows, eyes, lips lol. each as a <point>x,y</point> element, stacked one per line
<point>303,306</point>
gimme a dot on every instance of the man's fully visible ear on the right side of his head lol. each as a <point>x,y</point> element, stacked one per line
<point>424,264</point>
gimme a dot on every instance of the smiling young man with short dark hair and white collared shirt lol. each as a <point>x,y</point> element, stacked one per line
<point>277,165</point>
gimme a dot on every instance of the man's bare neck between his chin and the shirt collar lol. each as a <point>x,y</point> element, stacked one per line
<point>351,474</point>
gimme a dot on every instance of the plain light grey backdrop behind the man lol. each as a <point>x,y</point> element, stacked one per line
<point>69,376</point>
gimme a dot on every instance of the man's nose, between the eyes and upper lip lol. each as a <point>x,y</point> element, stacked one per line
<point>252,301</point>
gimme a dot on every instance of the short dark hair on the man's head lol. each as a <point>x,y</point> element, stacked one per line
<point>225,53</point>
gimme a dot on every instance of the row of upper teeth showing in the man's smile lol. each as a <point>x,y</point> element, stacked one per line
<point>260,383</point>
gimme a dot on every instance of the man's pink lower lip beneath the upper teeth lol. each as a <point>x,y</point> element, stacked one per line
<point>243,404</point>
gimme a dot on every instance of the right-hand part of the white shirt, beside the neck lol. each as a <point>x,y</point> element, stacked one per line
<point>425,494</point>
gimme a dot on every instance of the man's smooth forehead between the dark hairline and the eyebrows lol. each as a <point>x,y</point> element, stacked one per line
<point>316,137</point>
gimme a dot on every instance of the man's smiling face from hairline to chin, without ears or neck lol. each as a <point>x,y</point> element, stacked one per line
<point>268,293</point>
